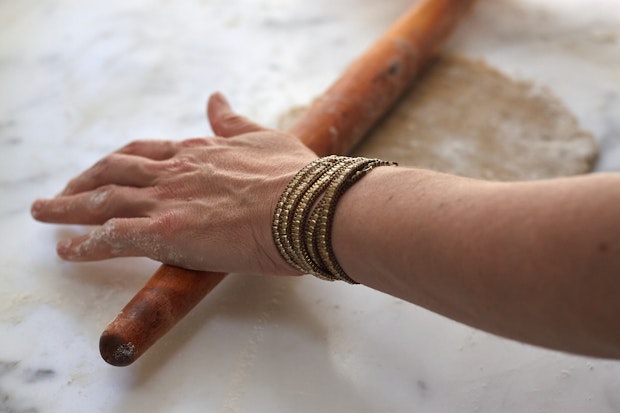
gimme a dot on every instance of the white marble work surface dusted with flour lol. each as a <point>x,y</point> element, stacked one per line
<point>79,79</point>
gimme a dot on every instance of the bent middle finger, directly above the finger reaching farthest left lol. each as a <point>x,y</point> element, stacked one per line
<point>115,169</point>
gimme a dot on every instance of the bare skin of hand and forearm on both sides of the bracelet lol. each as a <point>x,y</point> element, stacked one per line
<point>534,261</point>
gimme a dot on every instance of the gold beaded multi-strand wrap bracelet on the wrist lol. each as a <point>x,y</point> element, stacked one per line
<point>303,216</point>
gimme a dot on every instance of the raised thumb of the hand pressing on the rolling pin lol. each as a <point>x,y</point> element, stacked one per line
<point>225,122</point>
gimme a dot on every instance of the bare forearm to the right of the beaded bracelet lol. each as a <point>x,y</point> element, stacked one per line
<point>538,261</point>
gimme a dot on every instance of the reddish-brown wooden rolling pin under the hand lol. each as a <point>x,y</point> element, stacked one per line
<point>334,124</point>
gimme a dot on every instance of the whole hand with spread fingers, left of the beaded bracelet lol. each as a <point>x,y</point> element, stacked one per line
<point>203,204</point>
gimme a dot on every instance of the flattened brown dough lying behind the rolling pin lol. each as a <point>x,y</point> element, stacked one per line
<point>466,118</point>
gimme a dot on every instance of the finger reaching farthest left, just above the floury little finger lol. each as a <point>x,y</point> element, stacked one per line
<point>94,207</point>
